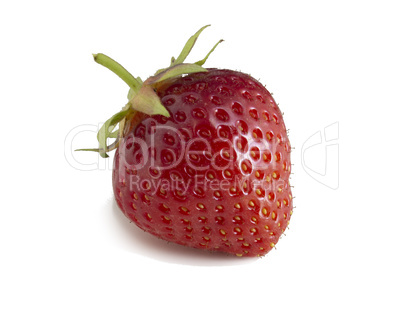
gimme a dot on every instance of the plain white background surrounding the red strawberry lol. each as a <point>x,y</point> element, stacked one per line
<point>65,247</point>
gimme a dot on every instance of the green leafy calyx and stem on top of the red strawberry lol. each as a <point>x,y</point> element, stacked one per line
<point>142,96</point>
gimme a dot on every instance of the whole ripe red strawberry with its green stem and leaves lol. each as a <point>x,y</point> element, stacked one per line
<point>202,159</point>
